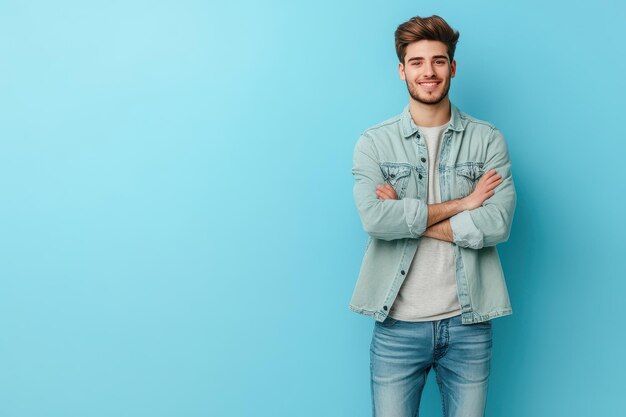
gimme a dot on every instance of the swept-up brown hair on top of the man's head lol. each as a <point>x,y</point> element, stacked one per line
<point>432,28</point>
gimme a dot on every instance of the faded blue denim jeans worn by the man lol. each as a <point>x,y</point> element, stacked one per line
<point>402,353</point>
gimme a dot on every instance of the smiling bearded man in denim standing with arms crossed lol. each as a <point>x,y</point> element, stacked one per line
<point>434,191</point>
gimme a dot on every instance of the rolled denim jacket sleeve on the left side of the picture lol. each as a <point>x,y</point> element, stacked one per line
<point>383,219</point>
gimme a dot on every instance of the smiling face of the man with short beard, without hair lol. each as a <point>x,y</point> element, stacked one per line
<point>427,71</point>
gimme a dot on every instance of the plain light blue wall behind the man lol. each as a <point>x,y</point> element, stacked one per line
<point>178,236</point>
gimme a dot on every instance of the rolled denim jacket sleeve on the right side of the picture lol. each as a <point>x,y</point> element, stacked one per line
<point>489,224</point>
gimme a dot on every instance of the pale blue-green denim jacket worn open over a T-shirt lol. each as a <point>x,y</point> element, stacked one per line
<point>394,151</point>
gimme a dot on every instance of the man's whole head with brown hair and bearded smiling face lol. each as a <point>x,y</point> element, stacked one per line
<point>425,48</point>
